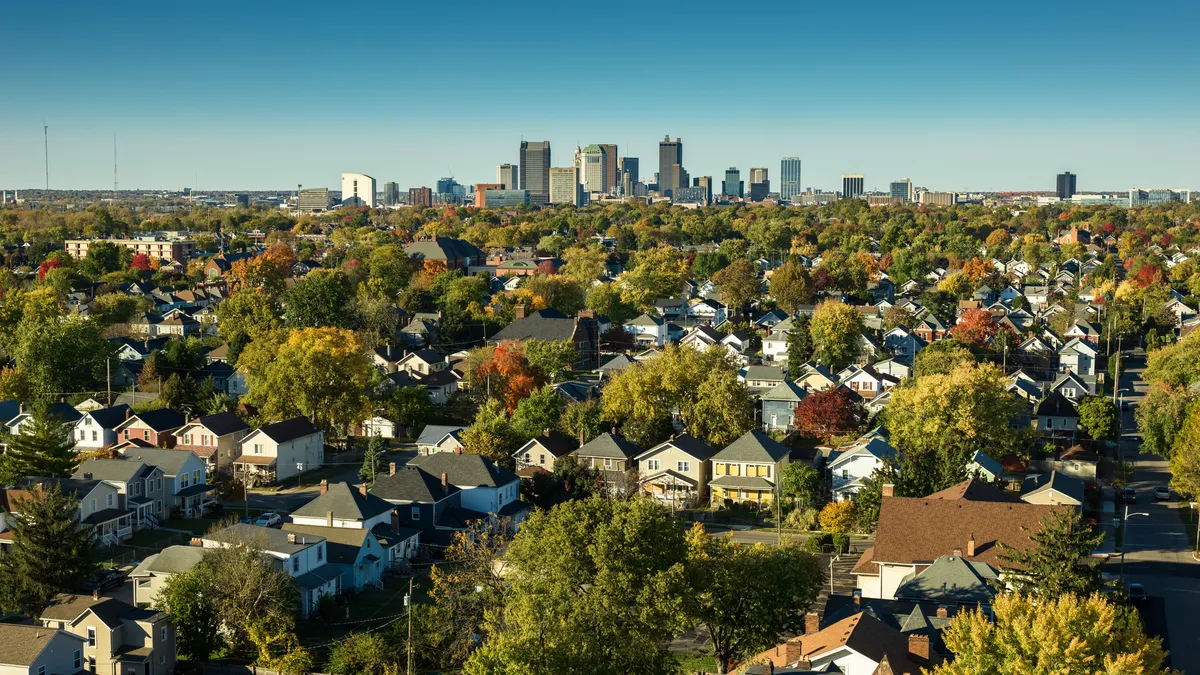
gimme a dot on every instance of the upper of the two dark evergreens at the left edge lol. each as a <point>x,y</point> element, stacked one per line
<point>45,447</point>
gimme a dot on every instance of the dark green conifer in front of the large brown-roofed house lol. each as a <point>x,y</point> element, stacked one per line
<point>1055,564</point>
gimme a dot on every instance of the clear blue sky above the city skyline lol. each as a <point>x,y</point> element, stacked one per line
<point>266,95</point>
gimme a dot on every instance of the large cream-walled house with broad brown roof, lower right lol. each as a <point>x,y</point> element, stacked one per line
<point>969,521</point>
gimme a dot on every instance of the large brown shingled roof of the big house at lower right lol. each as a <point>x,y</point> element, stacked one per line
<point>921,530</point>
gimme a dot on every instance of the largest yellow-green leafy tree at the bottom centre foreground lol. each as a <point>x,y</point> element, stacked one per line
<point>596,588</point>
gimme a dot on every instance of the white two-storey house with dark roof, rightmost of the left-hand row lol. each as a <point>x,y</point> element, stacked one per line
<point>280,451</point>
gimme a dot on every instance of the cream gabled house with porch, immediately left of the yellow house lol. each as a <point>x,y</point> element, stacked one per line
<point>677,470</point>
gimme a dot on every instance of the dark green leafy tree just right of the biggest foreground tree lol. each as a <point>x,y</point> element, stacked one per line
<point>748,598</point>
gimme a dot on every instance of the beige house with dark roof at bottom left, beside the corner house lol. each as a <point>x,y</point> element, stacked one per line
<point>118,637</point>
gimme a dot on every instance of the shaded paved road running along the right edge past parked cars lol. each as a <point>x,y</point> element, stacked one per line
<point>1157,552</point>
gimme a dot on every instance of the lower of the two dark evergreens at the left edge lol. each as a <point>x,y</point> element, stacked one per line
<point>51,551</point>
